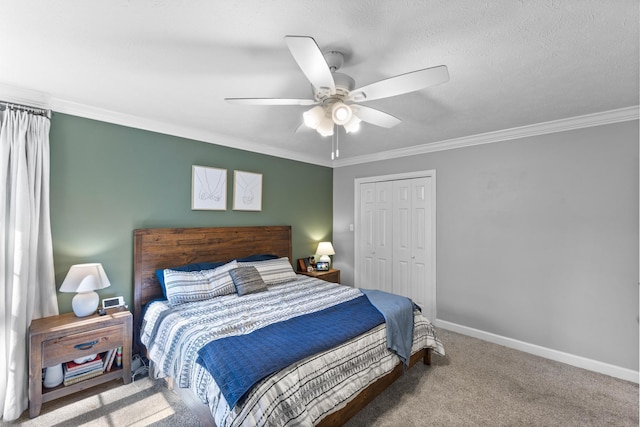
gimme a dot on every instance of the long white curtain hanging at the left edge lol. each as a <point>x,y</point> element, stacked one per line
<point>27,283</point>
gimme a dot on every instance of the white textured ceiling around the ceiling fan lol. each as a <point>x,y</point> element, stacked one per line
<point>166,65</point>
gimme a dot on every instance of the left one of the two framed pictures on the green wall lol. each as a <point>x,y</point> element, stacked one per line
<point>208,188</point>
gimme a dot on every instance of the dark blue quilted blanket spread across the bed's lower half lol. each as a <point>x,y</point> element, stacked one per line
<point>238,362</point>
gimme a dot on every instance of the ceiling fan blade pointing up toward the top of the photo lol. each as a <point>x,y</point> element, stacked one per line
<point>307,54</point>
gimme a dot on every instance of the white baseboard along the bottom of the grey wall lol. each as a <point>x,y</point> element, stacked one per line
<point>559,356</point>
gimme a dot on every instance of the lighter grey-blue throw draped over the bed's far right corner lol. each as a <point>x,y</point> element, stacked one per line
<point>398,314</point>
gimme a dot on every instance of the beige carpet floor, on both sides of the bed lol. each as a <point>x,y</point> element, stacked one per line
<point>476,384</point>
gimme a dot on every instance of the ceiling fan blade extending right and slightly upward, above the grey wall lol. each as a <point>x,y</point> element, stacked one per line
<point>401,84</point>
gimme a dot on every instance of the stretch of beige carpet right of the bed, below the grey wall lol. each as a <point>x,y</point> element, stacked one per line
<point>483,384</point>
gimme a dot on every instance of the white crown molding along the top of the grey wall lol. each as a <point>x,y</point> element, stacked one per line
<point>579,122</point>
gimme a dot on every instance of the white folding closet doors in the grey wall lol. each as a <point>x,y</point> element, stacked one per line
<point>396,240</point>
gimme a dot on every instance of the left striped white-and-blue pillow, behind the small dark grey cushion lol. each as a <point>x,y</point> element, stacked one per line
<point>188,286</point>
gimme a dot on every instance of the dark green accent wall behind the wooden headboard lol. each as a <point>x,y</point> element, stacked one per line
<point>107,180</point>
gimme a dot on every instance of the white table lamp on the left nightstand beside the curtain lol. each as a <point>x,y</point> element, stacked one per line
<point>85,279</point>
